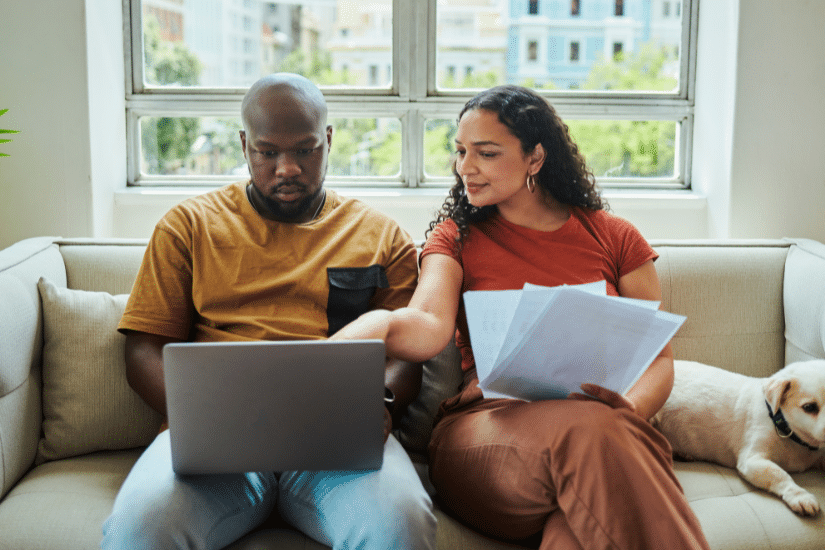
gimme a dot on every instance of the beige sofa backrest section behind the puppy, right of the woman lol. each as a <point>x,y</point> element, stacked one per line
<point>732,295</point>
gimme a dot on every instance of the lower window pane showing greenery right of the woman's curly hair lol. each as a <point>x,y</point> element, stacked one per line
<point>627,148</point>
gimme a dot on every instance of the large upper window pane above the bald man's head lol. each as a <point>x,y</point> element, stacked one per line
<point>226,43</point>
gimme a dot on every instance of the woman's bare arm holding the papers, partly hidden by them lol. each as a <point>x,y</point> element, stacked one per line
<point>653,388</point>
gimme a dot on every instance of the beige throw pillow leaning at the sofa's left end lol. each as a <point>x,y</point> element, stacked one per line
<point>87,403</point>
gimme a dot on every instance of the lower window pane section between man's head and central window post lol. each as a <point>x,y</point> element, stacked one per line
<point>365,147</point>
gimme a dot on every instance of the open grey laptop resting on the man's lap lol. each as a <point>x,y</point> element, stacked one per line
<point>275,406</point>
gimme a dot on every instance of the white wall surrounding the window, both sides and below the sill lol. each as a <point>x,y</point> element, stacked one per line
<point>758,169</point>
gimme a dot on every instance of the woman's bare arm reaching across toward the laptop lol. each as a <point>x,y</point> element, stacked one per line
<point>423,328</point>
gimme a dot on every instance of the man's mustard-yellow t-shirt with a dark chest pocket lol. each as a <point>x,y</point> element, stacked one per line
<point>216,270</point>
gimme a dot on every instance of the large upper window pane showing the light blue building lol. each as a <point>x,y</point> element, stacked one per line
<point>516,42</point>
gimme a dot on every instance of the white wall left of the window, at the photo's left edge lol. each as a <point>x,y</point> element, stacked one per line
<point>58,59</point>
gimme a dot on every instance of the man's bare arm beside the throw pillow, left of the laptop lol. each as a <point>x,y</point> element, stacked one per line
<point>144,367</point>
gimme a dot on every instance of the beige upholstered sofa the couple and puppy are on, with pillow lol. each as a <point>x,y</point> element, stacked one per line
<point>71,428</point>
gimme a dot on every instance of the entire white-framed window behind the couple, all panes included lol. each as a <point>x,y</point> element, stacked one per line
<point>393,103</point>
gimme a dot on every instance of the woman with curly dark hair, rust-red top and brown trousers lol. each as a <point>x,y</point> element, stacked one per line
<point>587,472</point>
